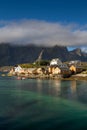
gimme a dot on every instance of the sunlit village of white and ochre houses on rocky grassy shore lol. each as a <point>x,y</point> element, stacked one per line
<point>55,69</point>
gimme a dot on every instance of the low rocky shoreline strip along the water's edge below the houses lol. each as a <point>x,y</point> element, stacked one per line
<point>79,76</point>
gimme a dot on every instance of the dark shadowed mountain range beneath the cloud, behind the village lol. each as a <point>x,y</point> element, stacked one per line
<point>11,55</point>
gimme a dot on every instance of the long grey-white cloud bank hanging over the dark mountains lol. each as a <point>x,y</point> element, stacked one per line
<point>42,33</point>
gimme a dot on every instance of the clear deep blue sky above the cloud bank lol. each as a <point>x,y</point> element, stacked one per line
<point>50,10</point>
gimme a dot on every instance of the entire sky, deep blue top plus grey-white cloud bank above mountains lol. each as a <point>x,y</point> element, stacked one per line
<point>44,22</point>
